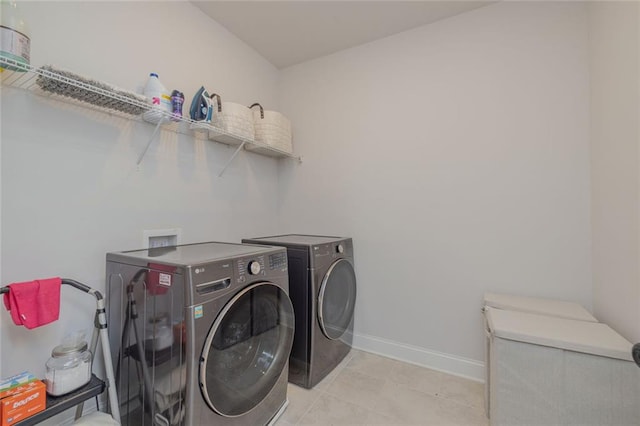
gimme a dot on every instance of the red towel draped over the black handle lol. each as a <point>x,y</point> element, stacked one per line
<point>34,303</point>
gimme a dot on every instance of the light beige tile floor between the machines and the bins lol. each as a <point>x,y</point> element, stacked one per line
<point>367,389</point>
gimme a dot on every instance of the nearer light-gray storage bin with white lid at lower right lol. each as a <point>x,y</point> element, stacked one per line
<point>556,371</point>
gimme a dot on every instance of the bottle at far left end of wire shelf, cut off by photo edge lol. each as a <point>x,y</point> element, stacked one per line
<point>14,35</point>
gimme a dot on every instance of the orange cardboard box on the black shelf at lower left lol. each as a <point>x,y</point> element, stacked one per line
<point>25,401</point>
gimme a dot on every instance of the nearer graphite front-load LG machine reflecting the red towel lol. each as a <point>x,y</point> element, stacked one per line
<point>200,333</point>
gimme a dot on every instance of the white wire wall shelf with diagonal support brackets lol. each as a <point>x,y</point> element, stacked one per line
<point>71,88</point>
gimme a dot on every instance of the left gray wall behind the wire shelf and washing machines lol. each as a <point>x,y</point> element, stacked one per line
<point>71,190</point>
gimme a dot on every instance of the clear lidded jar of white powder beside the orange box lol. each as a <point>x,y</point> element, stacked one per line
<point>68,369</point>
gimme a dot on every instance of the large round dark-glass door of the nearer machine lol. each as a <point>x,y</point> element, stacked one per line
<point>246,349</point>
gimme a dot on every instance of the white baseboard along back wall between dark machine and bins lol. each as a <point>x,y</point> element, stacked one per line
<point>458,366</point>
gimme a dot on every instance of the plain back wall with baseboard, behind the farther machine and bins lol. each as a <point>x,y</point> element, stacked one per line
<point>457,157</point>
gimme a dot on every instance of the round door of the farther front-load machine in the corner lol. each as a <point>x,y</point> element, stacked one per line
<point>337,299</point>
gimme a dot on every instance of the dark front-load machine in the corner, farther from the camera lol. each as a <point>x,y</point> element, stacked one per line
<point>322,287</point>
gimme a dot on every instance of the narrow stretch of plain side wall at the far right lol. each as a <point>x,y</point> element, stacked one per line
<point>615,173</point>
